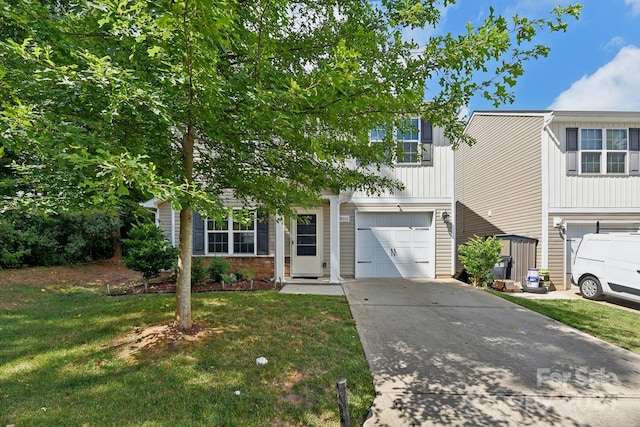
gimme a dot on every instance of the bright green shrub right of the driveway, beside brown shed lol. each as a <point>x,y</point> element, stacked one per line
<point>478,256</point>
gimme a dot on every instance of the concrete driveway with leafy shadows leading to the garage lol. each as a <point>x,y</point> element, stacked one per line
<point>444,353</point>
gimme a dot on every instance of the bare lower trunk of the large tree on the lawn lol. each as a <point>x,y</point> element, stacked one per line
<point>183,291</point>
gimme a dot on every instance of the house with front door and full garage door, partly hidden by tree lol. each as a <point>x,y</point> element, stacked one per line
<point>351,234</point>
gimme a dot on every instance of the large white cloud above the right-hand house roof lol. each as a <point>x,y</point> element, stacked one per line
<point>615,86</point>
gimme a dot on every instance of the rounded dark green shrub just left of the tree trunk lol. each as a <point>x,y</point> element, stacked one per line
<point>148,251</point>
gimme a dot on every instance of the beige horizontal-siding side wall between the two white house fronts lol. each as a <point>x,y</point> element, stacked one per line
<point>499,179</point>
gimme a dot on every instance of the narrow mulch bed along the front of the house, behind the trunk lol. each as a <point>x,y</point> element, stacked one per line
<point>169,286</point>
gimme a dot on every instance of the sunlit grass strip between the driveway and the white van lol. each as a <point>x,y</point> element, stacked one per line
<point>614,325</point>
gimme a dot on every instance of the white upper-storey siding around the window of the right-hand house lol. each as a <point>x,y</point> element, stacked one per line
<point>587,191</point>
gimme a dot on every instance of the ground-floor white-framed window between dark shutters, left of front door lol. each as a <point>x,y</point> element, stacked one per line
<point>220,233</point>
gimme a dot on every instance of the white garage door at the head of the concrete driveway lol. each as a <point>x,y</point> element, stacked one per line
<point>394,245</point>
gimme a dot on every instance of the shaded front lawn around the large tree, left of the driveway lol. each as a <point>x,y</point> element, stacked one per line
<point>64,361</point>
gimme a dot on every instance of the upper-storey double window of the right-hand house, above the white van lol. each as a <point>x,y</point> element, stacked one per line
<point>603,151</point>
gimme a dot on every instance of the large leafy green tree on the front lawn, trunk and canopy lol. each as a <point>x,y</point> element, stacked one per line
<point>269,98</point>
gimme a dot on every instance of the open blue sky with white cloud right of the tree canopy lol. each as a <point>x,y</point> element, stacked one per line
<point>595,65</point>
